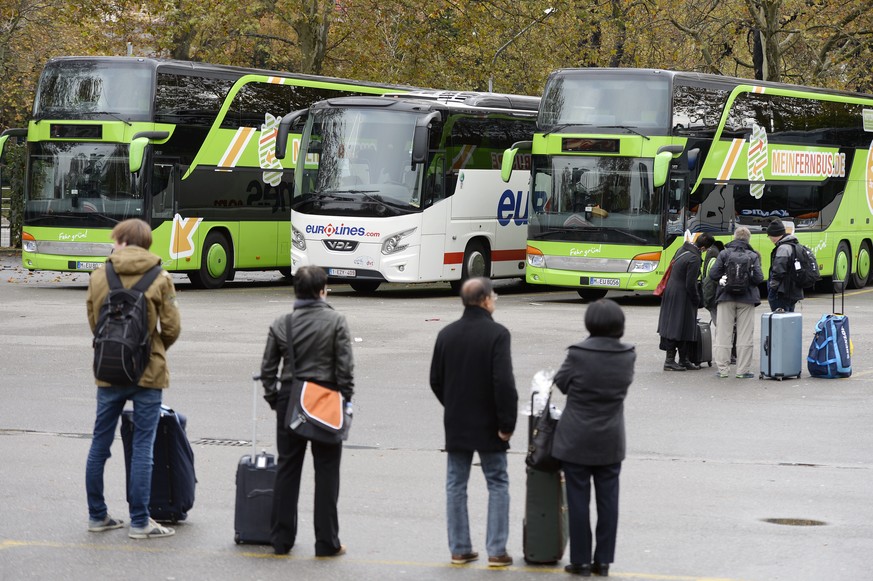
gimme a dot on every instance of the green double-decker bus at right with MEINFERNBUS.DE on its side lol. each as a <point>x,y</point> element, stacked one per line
<point>625,162</point>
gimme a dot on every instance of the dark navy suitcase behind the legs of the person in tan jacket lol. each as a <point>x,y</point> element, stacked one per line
<point>173,477</point>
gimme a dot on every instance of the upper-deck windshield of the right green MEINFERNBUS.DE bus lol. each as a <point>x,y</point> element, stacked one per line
<point>606,100</point>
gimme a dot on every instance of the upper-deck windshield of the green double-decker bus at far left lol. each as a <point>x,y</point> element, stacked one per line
<point>74,88</point>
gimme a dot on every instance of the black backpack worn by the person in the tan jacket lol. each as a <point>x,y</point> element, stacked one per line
<point>122,338</point>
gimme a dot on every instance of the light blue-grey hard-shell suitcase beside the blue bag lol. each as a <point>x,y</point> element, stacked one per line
<point>781,345</point>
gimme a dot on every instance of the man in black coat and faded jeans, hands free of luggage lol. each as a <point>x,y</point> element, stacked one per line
<point>471,375</point>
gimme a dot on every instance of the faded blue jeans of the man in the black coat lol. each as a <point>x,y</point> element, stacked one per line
<point>497,480</point>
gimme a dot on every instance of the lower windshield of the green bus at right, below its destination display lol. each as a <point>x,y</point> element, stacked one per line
<point>594,199</point>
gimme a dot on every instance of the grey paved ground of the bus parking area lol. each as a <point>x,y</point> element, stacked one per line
<point>709,460</point>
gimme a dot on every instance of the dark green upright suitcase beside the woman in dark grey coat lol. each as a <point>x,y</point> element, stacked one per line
<point>546,525</point>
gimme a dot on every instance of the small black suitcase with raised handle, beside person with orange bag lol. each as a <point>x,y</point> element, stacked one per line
<point>255,479</point>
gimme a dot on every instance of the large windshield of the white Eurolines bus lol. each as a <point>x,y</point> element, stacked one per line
<point>364,156</point>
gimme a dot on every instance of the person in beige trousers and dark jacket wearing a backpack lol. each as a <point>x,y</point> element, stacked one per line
<point>736,305</point>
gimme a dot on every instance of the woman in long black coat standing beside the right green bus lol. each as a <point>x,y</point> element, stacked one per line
<point>677,322</point>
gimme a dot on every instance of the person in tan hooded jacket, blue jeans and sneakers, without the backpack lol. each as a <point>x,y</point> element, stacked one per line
<point>131,259</point>
